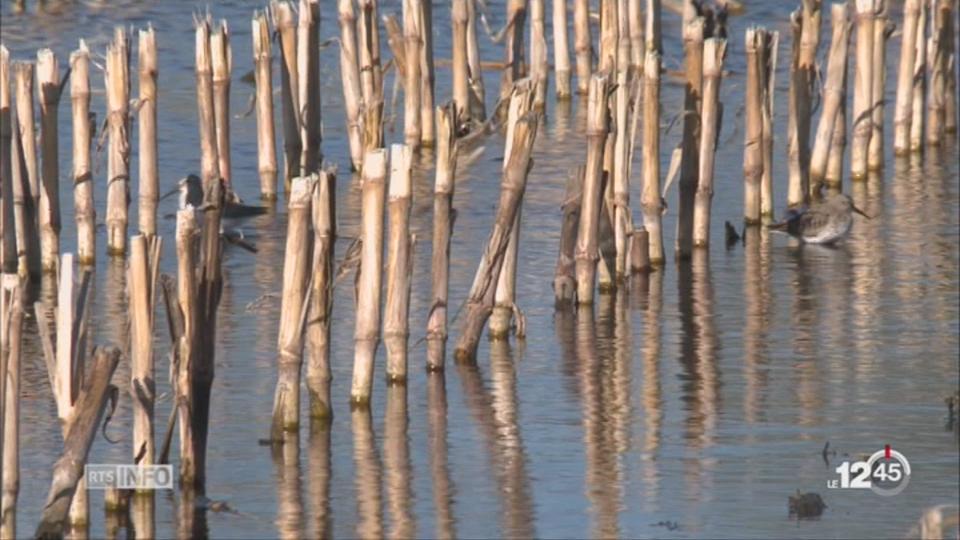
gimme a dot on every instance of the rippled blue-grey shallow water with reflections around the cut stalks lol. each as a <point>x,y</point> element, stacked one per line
<point>691,405</point>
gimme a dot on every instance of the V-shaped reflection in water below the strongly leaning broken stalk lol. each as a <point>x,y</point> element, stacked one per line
<point>495,415</point>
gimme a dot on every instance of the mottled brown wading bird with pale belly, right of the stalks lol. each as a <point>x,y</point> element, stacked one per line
<point>823,222</point>
